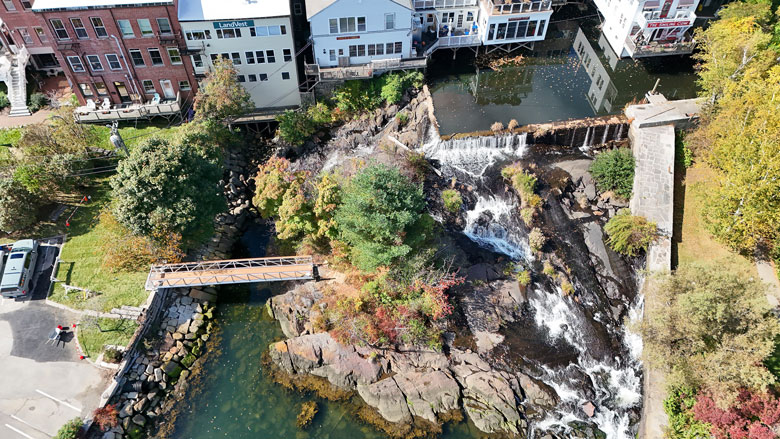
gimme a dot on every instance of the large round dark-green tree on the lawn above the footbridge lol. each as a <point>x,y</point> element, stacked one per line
<point>167,187</point>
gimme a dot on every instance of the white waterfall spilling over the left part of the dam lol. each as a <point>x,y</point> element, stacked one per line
<point>473,155</point>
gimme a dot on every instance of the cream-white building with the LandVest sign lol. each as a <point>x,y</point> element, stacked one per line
<point>255,36</point>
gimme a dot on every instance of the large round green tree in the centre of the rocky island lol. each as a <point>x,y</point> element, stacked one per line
<point>382,217</point>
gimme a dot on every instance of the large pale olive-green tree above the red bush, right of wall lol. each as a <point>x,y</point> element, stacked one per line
<point>713,333</point>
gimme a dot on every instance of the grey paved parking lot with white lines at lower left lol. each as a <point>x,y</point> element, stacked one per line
<point>42,385</point>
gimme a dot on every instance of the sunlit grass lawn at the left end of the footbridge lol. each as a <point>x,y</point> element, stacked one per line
<point>82,262</point>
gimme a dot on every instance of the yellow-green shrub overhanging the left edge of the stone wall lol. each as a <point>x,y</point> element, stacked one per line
<point>628,234</point>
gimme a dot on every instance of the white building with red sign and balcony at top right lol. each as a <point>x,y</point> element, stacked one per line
<point>648,27</point>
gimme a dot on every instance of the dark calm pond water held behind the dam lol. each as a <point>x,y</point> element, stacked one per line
<point>570,75</point>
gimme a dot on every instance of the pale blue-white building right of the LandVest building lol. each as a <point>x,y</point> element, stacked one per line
<point>359,32</point>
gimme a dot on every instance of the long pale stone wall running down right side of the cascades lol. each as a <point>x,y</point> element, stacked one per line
<point>652,134</point>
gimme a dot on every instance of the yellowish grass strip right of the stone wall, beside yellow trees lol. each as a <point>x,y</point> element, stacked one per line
<point>694,243</point>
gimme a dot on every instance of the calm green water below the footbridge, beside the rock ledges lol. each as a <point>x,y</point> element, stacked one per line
<point>237,400</point>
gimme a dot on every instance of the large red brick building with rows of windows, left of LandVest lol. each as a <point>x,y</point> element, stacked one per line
<point>129,51</point>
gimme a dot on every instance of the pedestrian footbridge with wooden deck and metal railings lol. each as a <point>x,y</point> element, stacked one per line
<point>232,271</point>
